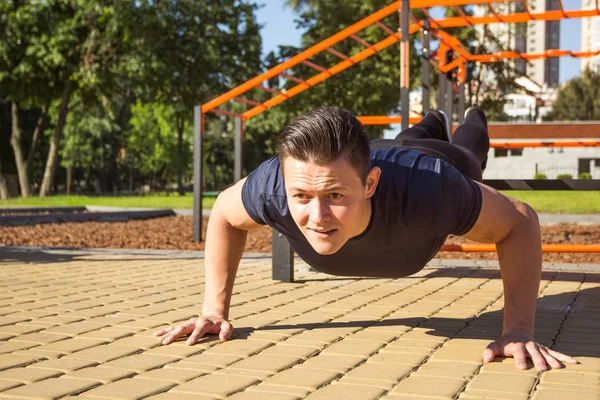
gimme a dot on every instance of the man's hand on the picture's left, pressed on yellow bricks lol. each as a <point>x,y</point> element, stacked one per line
<point>197,327</point>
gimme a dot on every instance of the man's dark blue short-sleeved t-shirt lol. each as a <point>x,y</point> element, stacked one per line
<point>419,201</point>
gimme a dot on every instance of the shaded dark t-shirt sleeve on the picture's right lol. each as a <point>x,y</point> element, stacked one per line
<point>459,201</point>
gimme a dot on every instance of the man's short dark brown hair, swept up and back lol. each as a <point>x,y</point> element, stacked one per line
<point>324,135</point>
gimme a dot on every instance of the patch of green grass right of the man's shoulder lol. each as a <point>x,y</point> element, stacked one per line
<point>559,201</point>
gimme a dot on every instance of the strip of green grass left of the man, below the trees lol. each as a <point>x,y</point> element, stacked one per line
<point>152,201</point>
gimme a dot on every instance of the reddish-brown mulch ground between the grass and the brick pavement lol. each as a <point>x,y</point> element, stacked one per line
<point>175,233</point>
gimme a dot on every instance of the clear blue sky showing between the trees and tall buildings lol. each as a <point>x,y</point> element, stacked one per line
<point>280,29</point>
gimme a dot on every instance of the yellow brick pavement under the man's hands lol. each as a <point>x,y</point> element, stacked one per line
<point>81,327</point>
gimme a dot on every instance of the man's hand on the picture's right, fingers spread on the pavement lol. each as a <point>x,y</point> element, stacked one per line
<point>521,347</point>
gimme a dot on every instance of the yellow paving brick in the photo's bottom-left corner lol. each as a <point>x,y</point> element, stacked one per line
<point>52,388</point>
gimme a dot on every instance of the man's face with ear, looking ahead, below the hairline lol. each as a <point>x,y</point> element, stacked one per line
<point>329,203</point>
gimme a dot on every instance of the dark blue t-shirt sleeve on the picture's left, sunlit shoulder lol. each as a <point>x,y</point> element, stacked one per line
<point>253,191</point>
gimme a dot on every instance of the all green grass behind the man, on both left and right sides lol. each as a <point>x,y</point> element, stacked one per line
<point>567,202</point>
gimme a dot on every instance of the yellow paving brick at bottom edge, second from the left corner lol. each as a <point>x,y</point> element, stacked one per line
<point>129,389</point>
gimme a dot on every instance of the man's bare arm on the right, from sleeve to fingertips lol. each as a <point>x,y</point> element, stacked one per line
<point>514,227</point>
